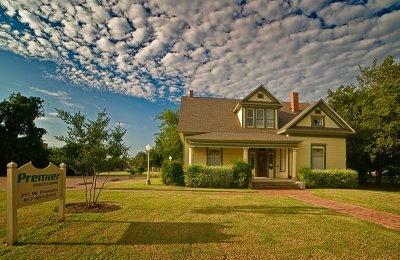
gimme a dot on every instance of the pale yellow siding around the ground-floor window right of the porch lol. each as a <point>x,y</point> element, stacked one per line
<point>335,152</point>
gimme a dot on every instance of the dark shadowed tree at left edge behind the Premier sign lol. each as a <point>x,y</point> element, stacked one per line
<point>20,138</point>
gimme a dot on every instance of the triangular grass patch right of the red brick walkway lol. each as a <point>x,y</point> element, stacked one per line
<point>388,201</point>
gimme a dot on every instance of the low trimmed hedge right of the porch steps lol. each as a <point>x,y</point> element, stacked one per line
<point>329,178</point>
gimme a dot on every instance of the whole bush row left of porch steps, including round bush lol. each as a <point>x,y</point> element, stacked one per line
<point>236,176</point>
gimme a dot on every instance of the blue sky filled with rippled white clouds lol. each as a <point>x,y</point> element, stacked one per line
<point>137,58</point>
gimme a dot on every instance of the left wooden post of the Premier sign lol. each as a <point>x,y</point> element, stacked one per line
<point>11,204</point>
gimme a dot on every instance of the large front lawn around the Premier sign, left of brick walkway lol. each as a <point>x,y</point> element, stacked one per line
<point>191,225</point>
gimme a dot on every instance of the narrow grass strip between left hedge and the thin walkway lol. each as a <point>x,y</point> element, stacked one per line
<point>156,184</point>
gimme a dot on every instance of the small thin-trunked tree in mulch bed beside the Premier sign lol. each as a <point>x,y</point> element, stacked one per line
<point>91,147</point>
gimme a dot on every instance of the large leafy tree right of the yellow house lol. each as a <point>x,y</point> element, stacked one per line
<point>373,109</point>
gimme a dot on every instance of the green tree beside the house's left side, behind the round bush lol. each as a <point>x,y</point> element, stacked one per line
<point>168,142</point>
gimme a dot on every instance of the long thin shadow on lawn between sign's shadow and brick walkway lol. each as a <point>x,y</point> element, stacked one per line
<point>266,210</point>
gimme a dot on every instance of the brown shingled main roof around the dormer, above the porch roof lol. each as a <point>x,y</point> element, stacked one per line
<point>203,115</point>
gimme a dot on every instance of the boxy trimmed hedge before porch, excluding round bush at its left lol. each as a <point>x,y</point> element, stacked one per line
<point>236,176</point>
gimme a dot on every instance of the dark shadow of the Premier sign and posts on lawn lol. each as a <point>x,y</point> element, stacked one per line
<point>149,233</point>
